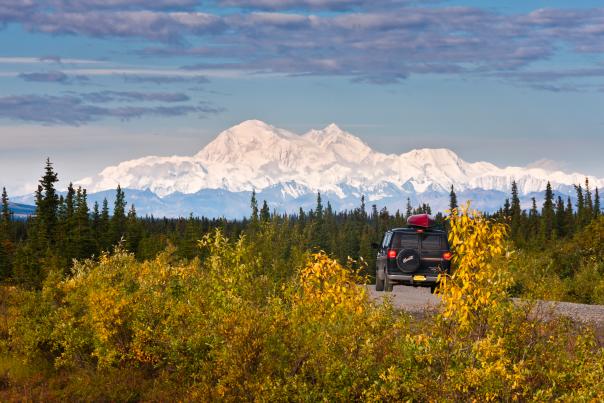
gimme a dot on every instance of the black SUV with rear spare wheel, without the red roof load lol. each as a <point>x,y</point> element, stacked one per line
<point>412,256</point>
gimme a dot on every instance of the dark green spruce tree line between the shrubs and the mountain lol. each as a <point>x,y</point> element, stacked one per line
<point>64,228</point>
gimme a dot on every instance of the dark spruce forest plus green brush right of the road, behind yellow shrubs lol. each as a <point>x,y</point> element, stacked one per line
<point>556,249</point>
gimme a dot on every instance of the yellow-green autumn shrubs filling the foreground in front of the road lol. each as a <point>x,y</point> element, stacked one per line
<point>229,328</point>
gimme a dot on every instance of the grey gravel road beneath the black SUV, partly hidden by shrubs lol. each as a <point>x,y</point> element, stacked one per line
<point>419,300</point>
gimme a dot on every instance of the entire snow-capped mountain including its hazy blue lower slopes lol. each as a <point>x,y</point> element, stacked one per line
<point>289,168</point>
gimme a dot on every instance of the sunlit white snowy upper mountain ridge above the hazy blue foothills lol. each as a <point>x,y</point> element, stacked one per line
<point>255,155</point>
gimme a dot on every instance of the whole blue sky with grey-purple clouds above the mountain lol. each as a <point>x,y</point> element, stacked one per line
<point>90,83</point>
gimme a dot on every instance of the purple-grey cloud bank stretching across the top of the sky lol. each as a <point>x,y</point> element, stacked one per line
<point>369,41</point>
